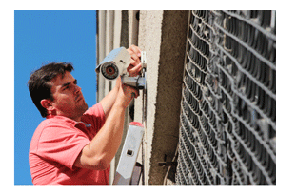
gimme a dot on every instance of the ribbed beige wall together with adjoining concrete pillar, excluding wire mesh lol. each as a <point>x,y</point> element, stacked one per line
<point>162,34</point>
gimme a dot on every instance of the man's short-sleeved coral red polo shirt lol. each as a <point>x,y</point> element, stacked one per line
<point>55,145</point>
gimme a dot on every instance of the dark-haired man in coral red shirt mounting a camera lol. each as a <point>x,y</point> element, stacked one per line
<point>74,145</point>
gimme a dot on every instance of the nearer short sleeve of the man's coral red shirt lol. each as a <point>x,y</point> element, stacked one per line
<point>61,144</point>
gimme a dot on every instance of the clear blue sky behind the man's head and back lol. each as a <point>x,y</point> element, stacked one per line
<point>41,37</point>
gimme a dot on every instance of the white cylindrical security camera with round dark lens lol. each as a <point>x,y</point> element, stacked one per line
<point>115,64</point>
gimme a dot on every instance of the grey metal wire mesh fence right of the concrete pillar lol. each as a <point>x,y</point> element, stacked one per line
<point>228,117</point>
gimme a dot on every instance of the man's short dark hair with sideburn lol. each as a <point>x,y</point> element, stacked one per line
<point>39,85</point>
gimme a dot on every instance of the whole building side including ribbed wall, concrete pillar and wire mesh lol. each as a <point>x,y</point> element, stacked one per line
<point>209,110</point>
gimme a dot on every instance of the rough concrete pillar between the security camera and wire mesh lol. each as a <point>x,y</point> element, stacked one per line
<point>162,34</point>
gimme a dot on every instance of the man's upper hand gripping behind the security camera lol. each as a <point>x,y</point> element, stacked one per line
<point>135,65</point>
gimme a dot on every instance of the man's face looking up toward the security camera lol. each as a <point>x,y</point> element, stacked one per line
<point>67,97</point>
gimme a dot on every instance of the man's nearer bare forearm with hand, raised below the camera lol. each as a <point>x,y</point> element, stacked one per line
<point>102,148</point>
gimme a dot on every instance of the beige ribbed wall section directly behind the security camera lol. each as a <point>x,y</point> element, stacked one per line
<point>111,33</point>
